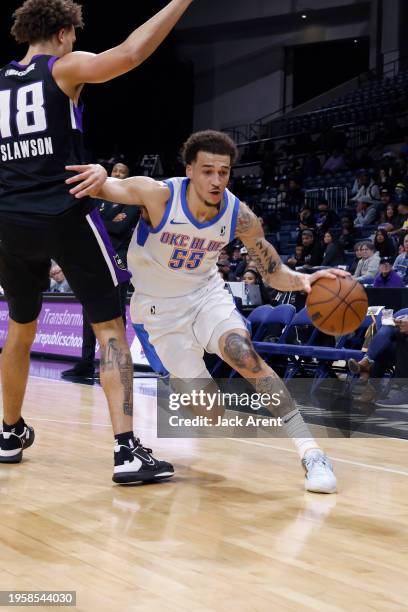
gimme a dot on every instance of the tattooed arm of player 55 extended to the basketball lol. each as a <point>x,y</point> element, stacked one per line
<point>249,230</point>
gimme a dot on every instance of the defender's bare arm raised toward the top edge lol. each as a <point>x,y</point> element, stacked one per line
<point>80,67</point>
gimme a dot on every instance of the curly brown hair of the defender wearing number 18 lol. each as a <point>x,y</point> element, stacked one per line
<point>38,20</point>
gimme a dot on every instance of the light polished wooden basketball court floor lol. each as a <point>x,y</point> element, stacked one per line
<point>234,530</point>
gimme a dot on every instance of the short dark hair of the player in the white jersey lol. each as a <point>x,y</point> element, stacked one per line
<point>209,141</point>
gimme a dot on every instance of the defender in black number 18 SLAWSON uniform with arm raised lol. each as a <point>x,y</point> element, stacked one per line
<point>40,134</point>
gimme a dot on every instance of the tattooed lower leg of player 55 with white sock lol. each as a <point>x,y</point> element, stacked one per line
<point>237,350</point>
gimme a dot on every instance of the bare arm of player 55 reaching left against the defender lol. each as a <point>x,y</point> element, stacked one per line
<point>91,180</point>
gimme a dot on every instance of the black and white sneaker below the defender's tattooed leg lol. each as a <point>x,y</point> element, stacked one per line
<point>134,463</point>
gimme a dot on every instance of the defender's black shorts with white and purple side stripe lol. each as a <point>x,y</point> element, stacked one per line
<point>79,243</point>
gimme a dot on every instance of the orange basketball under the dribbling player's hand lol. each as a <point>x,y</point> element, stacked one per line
<point>337,306</point>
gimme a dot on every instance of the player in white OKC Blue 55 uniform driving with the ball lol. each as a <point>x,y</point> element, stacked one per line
<point>179,296</point>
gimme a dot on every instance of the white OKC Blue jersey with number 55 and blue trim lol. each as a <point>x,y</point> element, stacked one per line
<point>179,256</point>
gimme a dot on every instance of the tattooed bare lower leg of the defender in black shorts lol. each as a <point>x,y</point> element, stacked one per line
<point>116,371</point>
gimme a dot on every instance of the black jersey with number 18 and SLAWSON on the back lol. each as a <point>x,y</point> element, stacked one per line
<point>40,133</point>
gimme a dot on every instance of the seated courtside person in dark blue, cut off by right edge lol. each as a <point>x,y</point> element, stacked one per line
<point>388,349</point>
